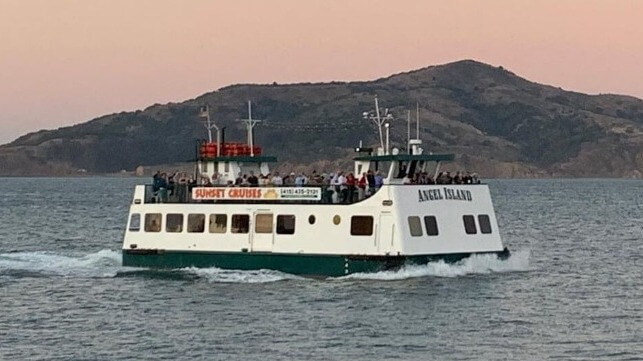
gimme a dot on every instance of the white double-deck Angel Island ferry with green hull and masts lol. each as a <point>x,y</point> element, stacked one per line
<point>303,230</point>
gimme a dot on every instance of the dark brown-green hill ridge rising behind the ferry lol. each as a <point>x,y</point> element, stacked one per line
<point>498,123</point>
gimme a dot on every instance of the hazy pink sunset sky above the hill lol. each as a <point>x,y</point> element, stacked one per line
<point>65,62</point>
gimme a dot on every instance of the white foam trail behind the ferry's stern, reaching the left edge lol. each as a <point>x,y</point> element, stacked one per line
<point>104,263</point>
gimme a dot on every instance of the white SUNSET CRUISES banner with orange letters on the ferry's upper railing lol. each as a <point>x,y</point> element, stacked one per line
<point>256,193</point>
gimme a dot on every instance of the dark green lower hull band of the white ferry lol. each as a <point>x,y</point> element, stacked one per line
<point>298,264</point>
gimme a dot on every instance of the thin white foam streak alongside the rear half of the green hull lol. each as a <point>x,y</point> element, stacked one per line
<point>238,276</point>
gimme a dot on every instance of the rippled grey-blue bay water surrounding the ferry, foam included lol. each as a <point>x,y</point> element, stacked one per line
<point>572,290</point>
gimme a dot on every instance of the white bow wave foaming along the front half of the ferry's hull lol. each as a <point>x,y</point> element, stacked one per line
<point>476,264</point>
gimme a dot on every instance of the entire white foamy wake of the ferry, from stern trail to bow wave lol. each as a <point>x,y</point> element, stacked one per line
<point>107,264</point>
